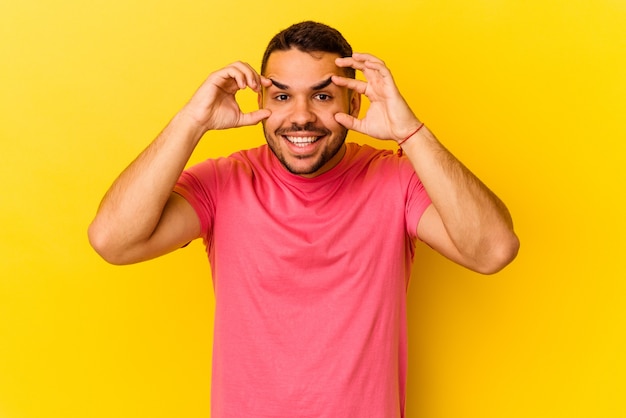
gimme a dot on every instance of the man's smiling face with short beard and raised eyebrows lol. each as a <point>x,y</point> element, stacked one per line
<point>302,131</point>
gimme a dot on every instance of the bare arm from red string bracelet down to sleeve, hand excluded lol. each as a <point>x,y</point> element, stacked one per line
<point>466,222</point>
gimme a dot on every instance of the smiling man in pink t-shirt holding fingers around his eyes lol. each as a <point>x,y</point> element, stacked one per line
<point>310,239</point>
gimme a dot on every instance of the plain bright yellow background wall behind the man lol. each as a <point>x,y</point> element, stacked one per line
<point>529,94</point>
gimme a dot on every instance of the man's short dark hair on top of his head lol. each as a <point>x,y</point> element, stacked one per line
<point>309,37</point>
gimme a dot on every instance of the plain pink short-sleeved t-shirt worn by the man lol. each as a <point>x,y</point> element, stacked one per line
<point>310,279</point>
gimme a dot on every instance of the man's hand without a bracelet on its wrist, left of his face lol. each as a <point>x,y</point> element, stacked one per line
<point>214,105</point>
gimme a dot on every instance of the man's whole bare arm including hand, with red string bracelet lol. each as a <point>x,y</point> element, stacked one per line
<point>466,221</point>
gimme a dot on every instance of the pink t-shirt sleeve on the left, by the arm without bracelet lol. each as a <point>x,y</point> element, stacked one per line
<point>197,185</point>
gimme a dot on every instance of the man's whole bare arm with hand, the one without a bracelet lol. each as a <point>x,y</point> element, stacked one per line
<point>140,217</point>
